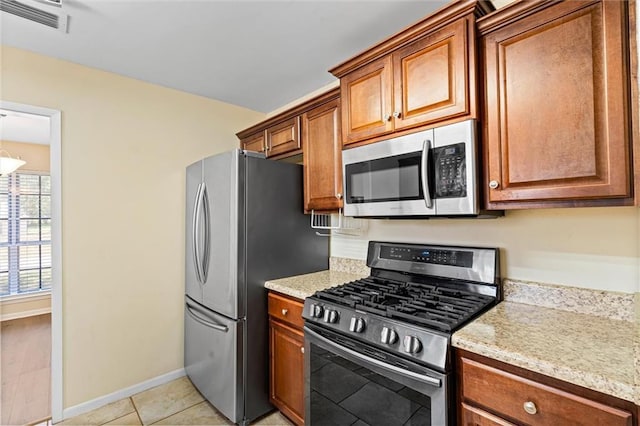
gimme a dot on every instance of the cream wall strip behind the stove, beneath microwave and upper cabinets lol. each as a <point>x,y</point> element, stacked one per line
<point>582,247</point>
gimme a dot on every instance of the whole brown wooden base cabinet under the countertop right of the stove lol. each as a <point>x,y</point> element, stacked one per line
<point>494,393</point>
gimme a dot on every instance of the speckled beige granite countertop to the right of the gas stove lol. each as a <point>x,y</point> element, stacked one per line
<point>587,350</point>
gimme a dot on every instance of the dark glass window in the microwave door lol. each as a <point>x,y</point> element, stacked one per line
<point>394,178</point>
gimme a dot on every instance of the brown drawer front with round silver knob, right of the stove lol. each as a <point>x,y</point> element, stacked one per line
<point>507,394</point>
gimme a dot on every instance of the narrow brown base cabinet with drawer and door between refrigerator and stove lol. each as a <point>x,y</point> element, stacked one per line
<point>286,356</point>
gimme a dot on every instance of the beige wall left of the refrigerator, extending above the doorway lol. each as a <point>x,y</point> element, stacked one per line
<point>125,146</point>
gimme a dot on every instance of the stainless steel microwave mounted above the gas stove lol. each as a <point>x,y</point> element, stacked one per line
<point>428,173</point>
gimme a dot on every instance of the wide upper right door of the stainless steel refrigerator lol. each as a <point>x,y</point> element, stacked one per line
<point>222,289</point>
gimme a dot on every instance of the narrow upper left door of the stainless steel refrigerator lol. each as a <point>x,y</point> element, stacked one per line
<point>193,287</point>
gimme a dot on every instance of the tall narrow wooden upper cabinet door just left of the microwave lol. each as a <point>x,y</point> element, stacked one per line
<point>322,147</point>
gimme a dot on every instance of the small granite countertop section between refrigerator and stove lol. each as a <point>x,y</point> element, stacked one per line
<point>303,286</point>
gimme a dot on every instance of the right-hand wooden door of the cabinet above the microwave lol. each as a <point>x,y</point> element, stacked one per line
<point>431,78</point>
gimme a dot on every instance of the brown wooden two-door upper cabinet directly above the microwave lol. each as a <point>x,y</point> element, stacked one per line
<point>421,76</point>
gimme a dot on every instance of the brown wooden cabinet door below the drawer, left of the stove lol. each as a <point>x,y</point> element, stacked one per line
<point>287,370</point>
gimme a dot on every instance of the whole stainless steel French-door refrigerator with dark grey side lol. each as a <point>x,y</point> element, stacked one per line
<point>244,225</point>
